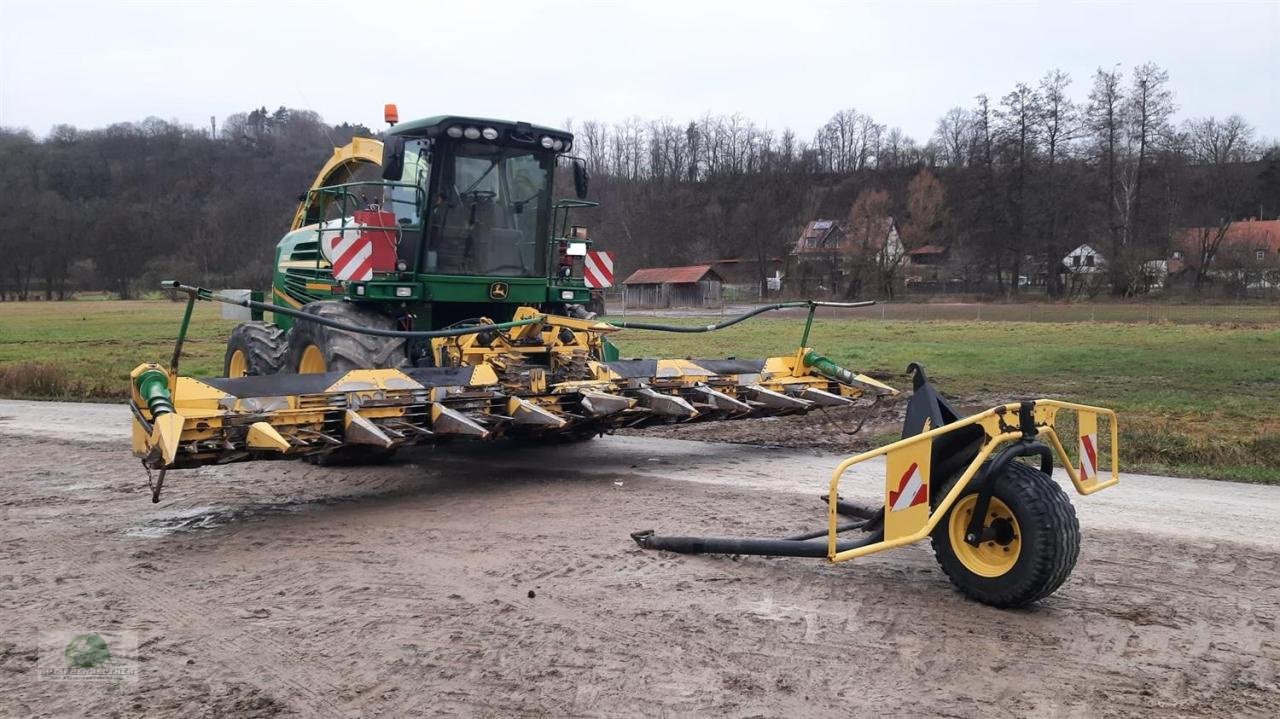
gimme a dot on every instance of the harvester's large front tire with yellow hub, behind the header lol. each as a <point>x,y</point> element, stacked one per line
<point>319,349</point>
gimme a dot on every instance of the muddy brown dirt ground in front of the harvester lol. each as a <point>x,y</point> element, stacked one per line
<point>463,583</point>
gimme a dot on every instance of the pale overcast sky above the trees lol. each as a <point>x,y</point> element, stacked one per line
<point>780,63</point>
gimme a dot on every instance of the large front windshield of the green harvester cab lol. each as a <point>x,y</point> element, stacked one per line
<point>488,213</point>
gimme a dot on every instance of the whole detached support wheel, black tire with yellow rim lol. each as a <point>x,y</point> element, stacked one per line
<point>1039,548</point>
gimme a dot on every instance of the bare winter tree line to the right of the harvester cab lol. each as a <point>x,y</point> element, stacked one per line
<point>1011,185</point>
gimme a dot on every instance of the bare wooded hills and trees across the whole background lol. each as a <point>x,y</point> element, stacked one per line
<point>1009,186</point>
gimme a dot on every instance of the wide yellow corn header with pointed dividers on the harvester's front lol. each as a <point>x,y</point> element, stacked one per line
<point>538,375</point>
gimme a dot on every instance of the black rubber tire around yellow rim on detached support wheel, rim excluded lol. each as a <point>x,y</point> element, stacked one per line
<point>1050,542</point>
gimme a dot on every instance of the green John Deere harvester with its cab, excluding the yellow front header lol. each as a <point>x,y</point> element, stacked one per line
<point>463,223</point>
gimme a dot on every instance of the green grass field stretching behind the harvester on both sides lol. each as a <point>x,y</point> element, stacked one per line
<point>1195,399</point>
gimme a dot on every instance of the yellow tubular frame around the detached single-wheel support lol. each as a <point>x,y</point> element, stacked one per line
<point>993,422</point>
